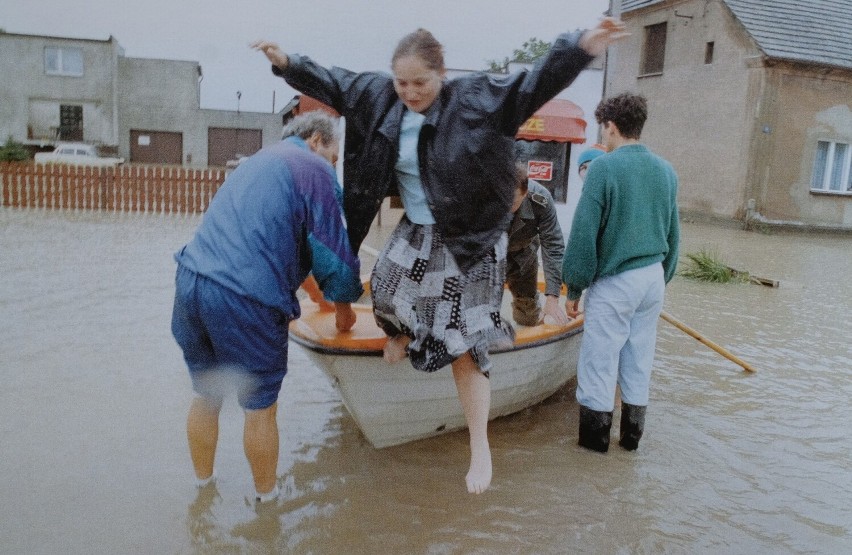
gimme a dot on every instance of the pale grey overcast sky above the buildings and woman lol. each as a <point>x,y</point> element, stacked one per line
<point>355,34</point>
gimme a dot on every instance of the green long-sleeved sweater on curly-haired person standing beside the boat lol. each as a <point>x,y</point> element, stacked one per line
<point>627,218</point>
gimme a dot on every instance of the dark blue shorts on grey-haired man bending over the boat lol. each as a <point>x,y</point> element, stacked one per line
<point>230,343</point>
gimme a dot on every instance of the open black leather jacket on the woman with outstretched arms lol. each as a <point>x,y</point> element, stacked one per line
<point>465,146</point>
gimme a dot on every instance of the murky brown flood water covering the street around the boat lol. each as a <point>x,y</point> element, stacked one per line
<point>94,393</point>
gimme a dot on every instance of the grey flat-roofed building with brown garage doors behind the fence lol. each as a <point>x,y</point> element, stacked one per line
<point>143,110</point>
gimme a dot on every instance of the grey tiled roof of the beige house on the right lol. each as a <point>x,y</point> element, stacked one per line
<point>815,31</point>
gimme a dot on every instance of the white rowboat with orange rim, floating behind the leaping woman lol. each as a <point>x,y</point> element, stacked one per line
<point>394,403</point>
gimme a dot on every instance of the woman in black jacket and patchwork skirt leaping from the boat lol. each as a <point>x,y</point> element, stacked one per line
<point>446,147</point>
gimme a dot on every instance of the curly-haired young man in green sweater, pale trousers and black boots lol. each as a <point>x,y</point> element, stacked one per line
<point>622,249</point>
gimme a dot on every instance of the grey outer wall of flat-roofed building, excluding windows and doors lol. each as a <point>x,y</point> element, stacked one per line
<point>117,94</point>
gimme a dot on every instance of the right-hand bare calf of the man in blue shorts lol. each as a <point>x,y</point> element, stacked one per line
<point>260,441</point>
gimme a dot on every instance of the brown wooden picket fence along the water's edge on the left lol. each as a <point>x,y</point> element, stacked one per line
<point>134,188</point>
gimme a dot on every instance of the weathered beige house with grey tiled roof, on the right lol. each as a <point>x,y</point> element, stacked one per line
<point>749,99</point>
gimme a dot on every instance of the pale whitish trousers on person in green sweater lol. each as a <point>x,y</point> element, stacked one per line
<point>619,337</point>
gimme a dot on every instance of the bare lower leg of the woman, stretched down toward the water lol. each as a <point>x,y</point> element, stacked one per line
<point>475,395</point>
